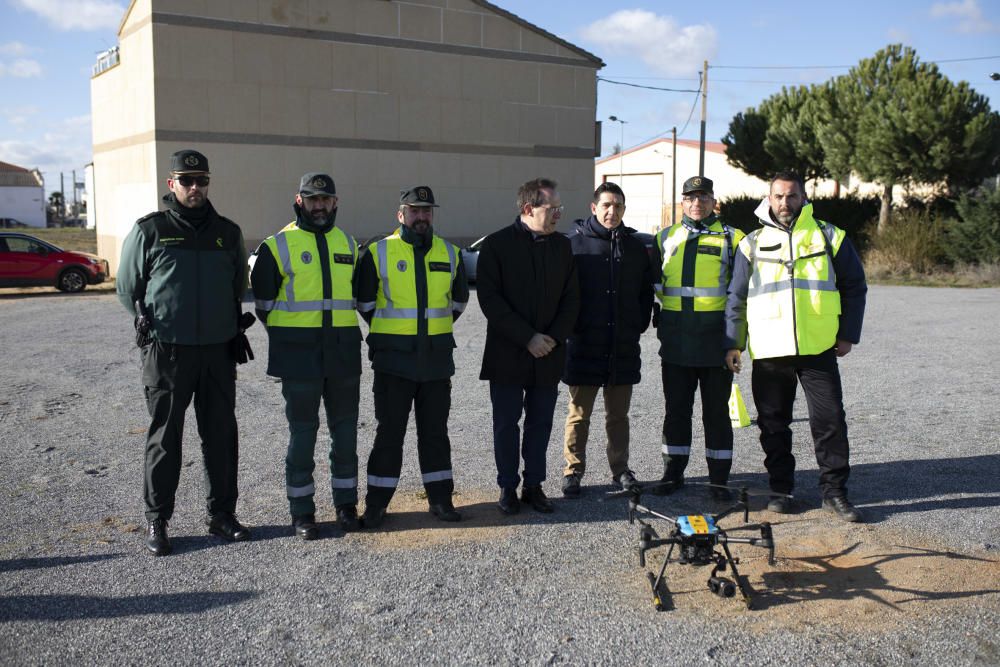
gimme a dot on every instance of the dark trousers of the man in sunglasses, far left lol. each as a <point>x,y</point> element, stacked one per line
<point>173,374</point>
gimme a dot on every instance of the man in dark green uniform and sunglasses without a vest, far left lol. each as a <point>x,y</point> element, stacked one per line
<point>185,269</point>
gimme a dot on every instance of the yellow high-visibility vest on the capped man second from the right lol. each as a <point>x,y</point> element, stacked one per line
<point>713,265</point>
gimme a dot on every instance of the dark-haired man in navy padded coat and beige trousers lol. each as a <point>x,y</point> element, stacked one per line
<point>616,289</point>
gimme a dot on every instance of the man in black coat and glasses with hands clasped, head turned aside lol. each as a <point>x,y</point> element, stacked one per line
<point>528,290</point>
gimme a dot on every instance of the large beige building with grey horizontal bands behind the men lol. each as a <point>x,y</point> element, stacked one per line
<point>459,95</point>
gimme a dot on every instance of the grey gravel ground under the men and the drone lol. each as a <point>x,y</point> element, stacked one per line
<point>76,586</point>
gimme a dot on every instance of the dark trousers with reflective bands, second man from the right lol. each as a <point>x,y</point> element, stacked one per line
<point>679,385</point>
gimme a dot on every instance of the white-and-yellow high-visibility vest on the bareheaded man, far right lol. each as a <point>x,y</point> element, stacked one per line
<point>793,305</point>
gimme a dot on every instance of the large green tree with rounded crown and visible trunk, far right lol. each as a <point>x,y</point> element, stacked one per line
<point>896,120</point>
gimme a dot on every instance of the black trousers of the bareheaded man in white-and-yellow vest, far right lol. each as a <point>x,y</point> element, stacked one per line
<point>774,384</point>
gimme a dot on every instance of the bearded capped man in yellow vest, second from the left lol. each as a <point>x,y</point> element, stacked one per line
<point>303,284</point>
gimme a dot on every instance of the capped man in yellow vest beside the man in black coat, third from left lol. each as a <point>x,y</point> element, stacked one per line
<point>411,287</point>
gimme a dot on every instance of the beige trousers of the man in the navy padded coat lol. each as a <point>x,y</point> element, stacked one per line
<point>581,406</point>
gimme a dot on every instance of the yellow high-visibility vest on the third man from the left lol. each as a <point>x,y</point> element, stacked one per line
<point>396,300</point>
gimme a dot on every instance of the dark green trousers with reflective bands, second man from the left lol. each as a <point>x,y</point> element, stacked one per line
<point>340,399</point>
